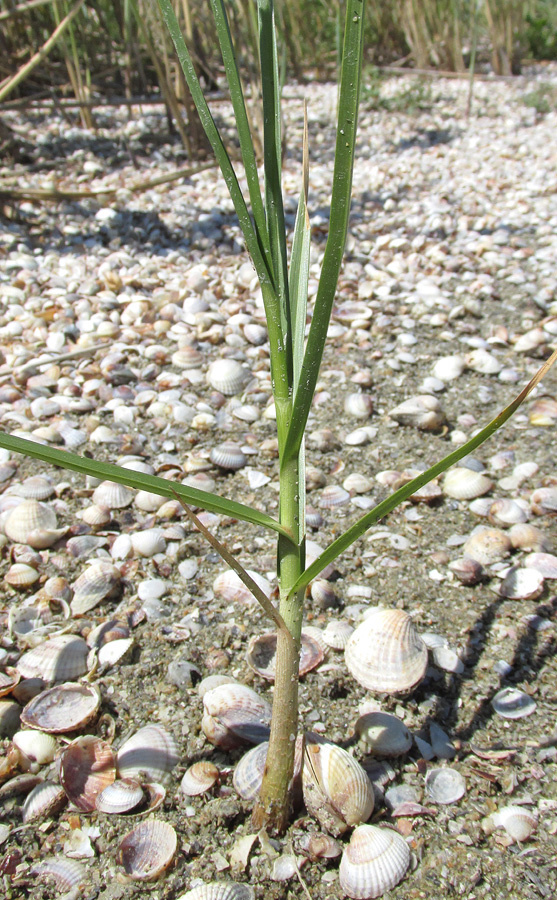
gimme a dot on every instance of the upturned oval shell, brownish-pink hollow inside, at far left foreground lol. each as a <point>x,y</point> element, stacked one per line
<point>63,708</point>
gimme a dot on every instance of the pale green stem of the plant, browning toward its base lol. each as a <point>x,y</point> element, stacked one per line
<point>273,807</point>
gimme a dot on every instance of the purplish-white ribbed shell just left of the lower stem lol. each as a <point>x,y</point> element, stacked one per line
<point>235,715</point>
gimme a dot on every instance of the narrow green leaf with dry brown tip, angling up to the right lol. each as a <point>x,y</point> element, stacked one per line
<point>386,506</point>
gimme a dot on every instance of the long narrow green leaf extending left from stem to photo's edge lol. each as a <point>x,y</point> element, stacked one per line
<point>140,481</point>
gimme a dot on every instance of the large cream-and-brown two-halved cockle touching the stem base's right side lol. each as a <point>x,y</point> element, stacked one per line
<point>336,789</point>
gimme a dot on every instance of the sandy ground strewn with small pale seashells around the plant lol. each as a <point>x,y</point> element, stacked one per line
<point>112,311</point>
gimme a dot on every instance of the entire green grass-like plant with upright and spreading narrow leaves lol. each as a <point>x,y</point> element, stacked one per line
<point>294,357</point>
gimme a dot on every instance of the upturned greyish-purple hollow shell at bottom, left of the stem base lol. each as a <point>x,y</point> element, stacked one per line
<point>148,850</point>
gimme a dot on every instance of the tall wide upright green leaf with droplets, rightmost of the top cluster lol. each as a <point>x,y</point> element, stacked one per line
<point>340,210</point>
